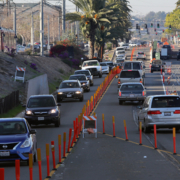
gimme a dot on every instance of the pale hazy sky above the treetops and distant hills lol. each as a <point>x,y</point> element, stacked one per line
<point>141,7</point>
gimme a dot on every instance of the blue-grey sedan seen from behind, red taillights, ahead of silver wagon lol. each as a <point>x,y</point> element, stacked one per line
<point>131,92</point>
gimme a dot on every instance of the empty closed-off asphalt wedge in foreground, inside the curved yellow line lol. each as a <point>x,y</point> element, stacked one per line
<point>110,158</point>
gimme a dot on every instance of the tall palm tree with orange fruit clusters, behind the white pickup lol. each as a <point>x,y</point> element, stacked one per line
<point>93,12</point>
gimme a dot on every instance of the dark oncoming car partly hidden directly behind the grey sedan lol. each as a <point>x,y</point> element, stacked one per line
<point>82,79</point>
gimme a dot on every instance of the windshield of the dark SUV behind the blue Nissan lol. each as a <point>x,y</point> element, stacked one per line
<point>41,102</point>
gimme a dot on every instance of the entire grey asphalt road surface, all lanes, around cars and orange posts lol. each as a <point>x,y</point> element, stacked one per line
<point>107,157</point>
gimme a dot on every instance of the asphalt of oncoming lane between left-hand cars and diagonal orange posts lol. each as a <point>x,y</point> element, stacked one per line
<point>47,133</point>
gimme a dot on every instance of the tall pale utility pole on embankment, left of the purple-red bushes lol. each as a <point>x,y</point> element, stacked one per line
<point>41,29</point>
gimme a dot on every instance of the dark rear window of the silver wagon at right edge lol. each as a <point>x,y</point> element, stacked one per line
<point>164,102</point>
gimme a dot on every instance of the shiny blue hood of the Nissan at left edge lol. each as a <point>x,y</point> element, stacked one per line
<point>13,138</point>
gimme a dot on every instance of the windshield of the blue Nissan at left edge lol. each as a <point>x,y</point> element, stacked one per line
<point>12,128</point>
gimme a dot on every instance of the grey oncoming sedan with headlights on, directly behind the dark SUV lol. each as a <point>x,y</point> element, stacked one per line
<point>70,89</point>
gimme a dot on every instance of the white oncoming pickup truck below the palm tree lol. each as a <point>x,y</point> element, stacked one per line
<point>93,66</point>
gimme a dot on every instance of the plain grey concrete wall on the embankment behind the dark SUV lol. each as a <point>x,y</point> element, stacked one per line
<point>36,86</point>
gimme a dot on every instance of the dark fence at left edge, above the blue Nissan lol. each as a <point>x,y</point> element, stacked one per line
<point>8,102</point>
